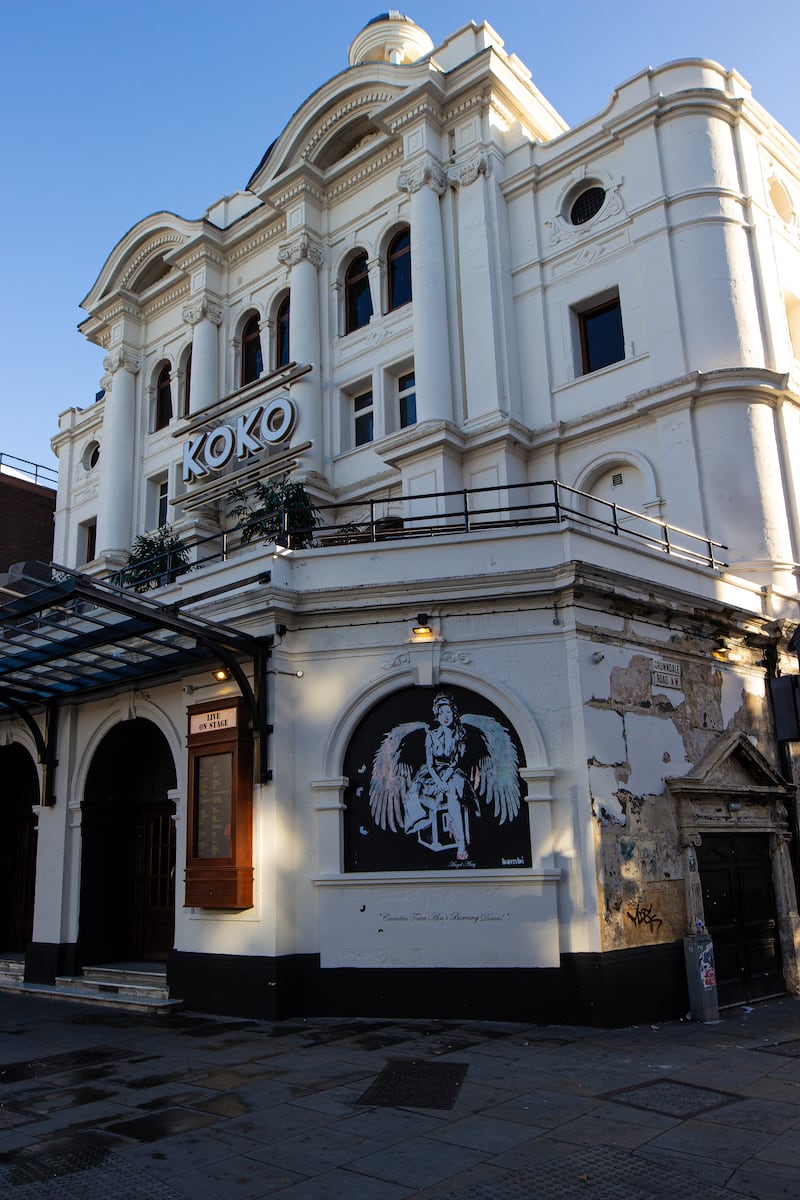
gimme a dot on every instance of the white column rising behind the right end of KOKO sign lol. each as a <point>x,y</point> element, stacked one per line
<point>304,259</point>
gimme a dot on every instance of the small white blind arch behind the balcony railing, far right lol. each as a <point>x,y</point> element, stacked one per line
<point>627,481</point>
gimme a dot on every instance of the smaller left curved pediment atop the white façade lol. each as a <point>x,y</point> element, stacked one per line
<point>142,259</point>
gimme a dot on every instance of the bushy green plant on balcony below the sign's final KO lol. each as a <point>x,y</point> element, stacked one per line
<point>276,512</point>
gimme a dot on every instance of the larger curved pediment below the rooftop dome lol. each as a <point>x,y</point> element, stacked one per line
<point>338,121</point>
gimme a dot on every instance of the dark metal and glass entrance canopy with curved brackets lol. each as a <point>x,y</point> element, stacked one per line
<point>65,638</point>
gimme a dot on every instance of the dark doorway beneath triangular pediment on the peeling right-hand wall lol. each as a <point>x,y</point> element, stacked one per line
<point>741,915</point>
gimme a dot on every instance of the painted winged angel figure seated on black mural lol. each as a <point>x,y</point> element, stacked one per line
<point>424,775</point>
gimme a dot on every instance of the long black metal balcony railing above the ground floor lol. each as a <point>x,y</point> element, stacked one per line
<point>437,515</point>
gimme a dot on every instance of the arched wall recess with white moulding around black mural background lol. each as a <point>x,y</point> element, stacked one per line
<point>381,711</point>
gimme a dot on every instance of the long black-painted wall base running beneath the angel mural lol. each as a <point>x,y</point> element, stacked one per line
<point>607,991</point>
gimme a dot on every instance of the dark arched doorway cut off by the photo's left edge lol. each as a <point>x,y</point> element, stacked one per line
<point>19,795</point>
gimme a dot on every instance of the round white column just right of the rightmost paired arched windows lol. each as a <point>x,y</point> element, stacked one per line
<point>426,183</point>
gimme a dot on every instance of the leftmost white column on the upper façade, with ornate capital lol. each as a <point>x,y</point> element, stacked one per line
<point>116,500</point>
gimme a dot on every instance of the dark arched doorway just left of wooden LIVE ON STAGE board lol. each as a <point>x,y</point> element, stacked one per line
<point>128,874</point>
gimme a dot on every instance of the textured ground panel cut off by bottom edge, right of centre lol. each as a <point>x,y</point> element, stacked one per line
<point>598,1174</point>
